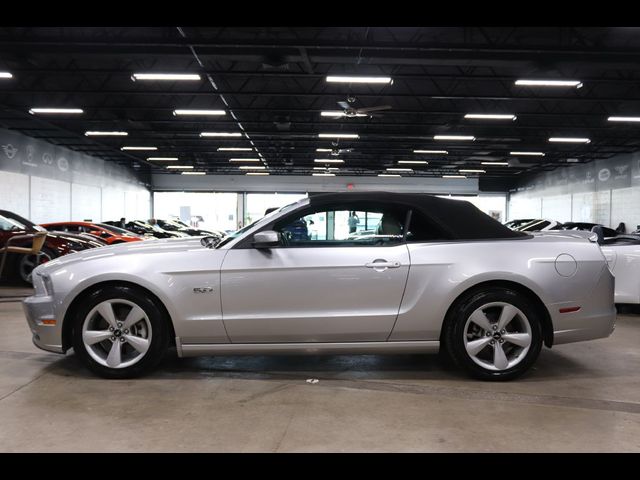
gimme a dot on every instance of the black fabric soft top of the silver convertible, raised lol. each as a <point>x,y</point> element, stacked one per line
<point>459,219</point>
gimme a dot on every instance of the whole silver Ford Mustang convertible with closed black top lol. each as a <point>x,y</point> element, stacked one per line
<point>415,273</point>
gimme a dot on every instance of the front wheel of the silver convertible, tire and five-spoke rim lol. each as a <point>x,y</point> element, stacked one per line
<point>120,332</point>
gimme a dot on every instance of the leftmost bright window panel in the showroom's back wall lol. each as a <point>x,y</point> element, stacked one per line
<point>205,210</point>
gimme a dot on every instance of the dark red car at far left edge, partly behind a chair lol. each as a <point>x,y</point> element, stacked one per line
<point>56,245</point>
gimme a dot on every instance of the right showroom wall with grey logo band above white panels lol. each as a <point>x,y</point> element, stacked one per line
<point>603,191</point>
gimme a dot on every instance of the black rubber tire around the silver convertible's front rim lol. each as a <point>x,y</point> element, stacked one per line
<point>158,319</point>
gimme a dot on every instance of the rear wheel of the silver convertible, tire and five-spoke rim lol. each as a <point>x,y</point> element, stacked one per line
<point>495,334</point>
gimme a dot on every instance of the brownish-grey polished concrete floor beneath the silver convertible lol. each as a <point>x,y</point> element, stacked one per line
<point>579,398</point>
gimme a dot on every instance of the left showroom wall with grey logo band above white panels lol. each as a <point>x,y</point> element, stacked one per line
<point>47,183</point>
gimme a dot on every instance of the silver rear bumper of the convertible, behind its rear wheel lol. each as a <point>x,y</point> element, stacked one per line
<point>595,319</point>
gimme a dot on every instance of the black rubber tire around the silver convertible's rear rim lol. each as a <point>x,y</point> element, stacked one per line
<point>454,332</point>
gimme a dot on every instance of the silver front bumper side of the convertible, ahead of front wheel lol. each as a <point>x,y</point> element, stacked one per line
<point>47,337</point>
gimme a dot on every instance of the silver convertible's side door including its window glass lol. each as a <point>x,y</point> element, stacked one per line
<point>323,283</point>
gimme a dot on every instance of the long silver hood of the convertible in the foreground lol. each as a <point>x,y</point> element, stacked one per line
<point>164,246</point>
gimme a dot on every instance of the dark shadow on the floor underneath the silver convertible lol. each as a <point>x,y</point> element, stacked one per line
<point>419,367</point>
